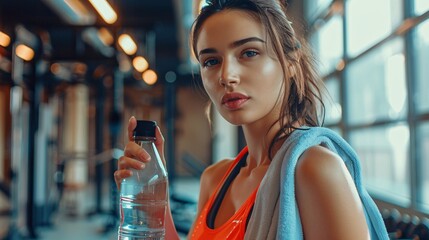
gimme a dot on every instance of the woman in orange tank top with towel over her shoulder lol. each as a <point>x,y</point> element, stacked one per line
<point>258,75</point>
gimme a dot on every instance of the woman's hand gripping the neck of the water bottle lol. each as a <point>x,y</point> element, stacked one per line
<point>134,156</point>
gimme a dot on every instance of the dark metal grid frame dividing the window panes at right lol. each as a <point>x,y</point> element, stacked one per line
<point>405,30</point>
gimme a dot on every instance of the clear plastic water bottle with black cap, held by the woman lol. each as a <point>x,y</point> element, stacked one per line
<point>143,196</point>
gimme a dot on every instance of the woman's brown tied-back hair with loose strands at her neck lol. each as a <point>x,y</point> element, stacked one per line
<point>302,103</point>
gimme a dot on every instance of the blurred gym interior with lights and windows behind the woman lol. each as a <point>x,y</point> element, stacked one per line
<point>72,72</point>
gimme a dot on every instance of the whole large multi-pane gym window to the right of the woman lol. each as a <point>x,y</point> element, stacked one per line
<point>369,91</point>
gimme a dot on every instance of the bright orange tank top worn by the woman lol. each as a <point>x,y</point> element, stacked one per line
<point>235,227</point>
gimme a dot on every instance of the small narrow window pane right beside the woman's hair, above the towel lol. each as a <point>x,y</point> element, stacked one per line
<point>332,101</point>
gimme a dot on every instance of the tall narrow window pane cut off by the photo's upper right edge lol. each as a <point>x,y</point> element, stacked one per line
<point>422,70</point>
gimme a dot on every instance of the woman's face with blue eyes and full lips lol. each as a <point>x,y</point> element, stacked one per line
<point>240,72</point>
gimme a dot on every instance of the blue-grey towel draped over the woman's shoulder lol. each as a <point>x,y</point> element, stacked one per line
<point>275,214</point>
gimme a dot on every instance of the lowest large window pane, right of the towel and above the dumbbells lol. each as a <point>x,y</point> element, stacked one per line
<point>384,159</point>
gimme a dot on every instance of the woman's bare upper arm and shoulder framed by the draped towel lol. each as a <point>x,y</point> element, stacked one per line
<point>328,201</point>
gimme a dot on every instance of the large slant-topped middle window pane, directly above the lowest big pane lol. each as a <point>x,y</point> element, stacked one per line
<point>376,87</point>
